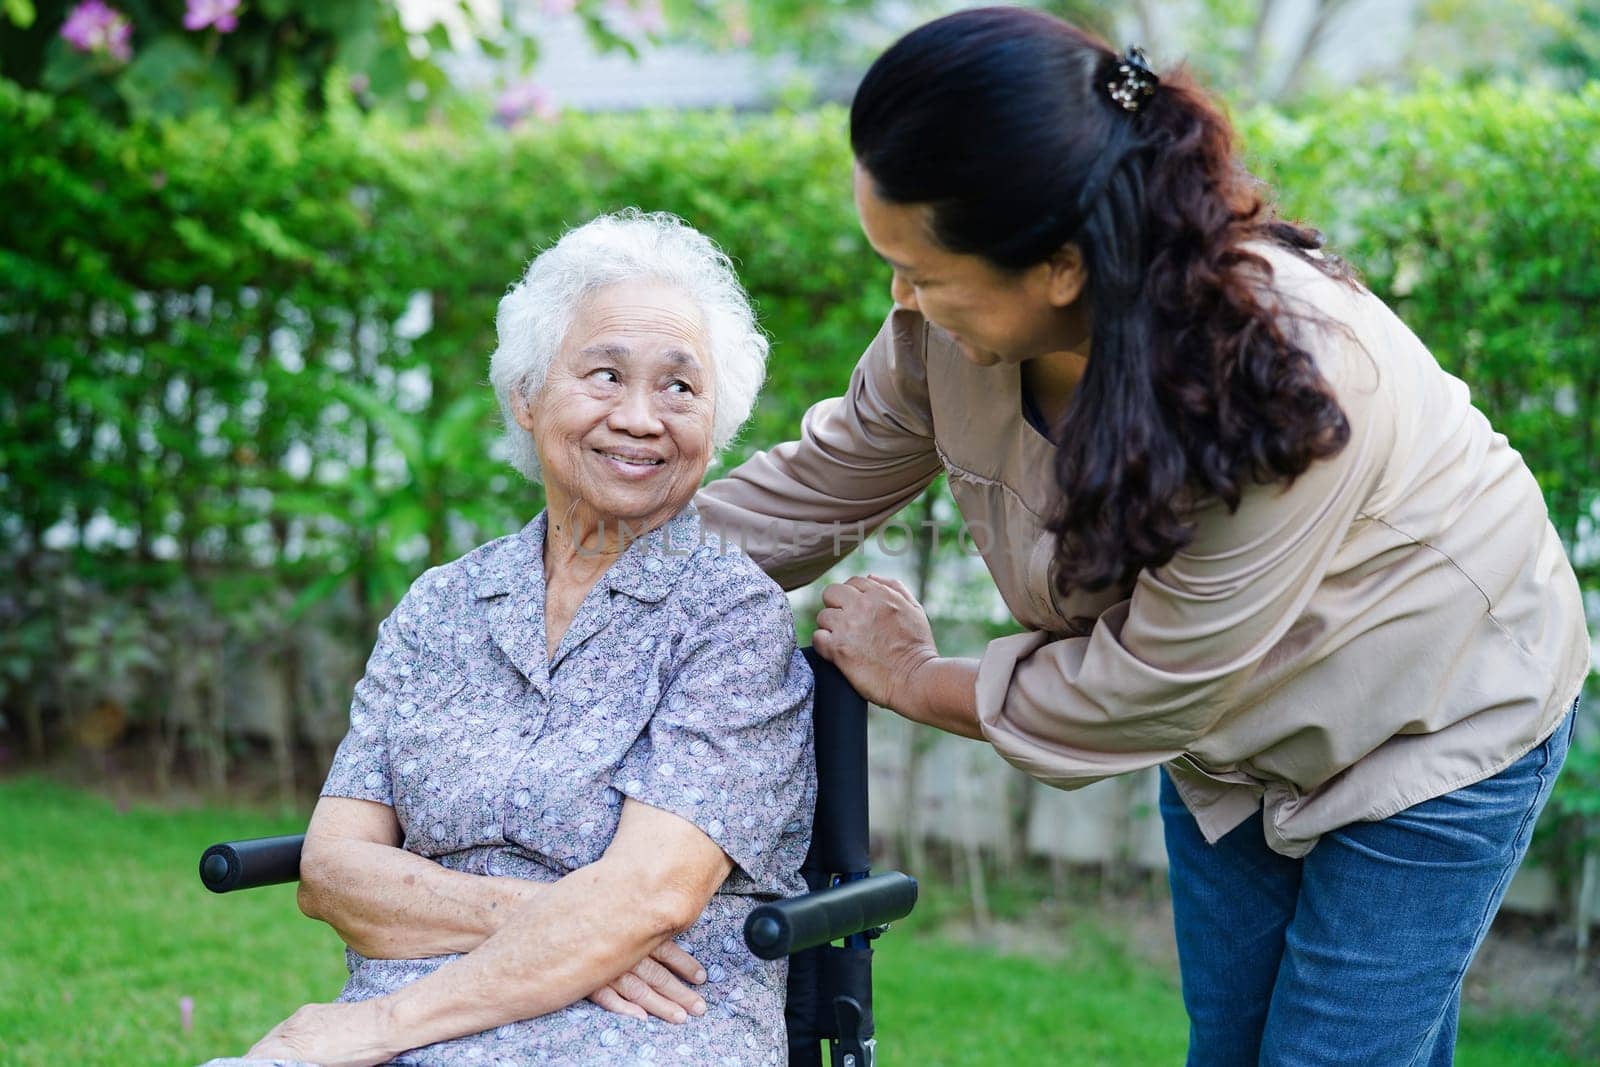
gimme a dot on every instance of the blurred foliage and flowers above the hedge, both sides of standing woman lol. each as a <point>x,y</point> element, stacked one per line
<point>170,57</point>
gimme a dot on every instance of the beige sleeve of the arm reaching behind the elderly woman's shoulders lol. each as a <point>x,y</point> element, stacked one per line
<point>860,458</point>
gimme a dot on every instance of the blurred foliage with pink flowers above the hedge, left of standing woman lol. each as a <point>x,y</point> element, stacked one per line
<point>170,57</point>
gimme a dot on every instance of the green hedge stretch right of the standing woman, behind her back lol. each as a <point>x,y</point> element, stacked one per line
<point>1476,214</point>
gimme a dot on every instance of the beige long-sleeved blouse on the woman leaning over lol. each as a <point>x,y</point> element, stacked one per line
<point>1399,623</point>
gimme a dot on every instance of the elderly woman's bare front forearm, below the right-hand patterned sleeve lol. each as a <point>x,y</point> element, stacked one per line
<point>598,922</point>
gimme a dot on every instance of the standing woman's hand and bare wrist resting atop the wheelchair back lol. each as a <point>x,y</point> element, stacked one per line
<point>876,633</point>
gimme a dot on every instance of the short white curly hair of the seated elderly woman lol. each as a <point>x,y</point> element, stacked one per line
<point>626,247</point>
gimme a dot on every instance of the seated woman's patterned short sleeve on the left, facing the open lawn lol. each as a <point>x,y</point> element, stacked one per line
<point>361,767</point>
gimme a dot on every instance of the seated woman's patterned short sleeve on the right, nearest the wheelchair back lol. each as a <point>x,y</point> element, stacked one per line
<point>729,746</point>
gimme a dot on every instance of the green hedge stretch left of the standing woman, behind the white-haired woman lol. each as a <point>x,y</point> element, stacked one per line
<point>193,310</point>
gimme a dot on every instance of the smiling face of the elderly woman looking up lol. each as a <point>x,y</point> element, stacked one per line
<point>625,422</point>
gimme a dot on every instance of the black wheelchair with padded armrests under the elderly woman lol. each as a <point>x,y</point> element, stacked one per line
<point>830,985</point>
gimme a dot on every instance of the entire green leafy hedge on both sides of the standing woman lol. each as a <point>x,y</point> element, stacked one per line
<point>218,383</point>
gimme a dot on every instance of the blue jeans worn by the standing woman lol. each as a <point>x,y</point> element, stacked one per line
<point>1356,953</point>
